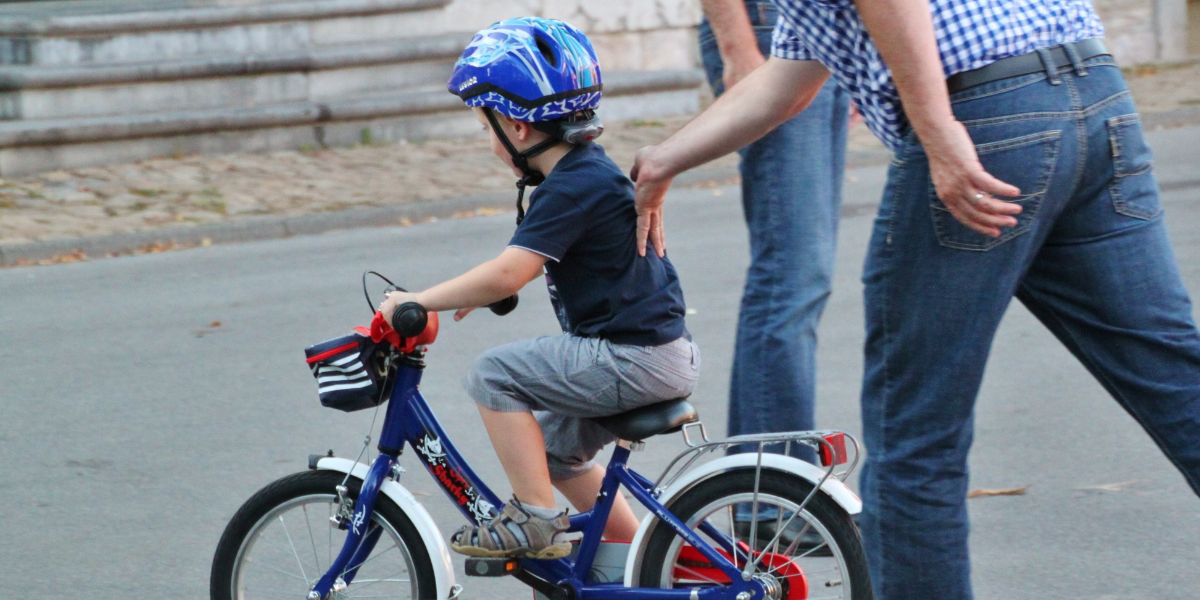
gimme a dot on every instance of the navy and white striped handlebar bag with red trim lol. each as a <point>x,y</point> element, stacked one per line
<point>347,379</point>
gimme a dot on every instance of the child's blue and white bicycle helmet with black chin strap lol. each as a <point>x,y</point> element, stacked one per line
<point>541,71</point>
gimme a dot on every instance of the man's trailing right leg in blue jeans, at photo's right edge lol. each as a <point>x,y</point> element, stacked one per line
<point>1108,286</point>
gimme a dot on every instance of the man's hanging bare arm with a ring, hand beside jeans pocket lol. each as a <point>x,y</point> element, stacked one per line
<point>903,31</point>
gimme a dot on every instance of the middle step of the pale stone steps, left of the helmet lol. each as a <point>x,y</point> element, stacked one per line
<point>230,82</point>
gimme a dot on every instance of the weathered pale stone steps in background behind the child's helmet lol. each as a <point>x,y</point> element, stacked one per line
<point>94,82</point>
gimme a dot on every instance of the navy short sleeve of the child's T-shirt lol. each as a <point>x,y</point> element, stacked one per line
<point>554,223</point>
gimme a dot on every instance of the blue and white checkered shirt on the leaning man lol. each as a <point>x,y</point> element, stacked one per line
<point>970,34</point>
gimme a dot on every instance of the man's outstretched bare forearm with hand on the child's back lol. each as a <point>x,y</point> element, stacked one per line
<point>767,98</point>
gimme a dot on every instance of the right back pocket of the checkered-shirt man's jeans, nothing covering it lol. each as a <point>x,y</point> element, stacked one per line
<point>1133,189</point>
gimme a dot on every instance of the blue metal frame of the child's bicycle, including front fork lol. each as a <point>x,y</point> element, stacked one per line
<point>410,421</point>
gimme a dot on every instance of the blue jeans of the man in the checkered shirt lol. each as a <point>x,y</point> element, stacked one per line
<point>1089,257</point>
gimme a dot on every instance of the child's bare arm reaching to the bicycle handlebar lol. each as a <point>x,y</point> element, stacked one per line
<point>482,286</point>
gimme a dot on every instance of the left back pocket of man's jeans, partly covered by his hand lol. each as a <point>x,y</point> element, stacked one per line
<point>1027,163</point>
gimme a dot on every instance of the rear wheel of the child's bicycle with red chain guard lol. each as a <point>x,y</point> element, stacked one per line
<point>814,554</point>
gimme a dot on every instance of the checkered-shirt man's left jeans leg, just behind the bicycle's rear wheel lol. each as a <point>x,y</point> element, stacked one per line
<point>935,293</point>
